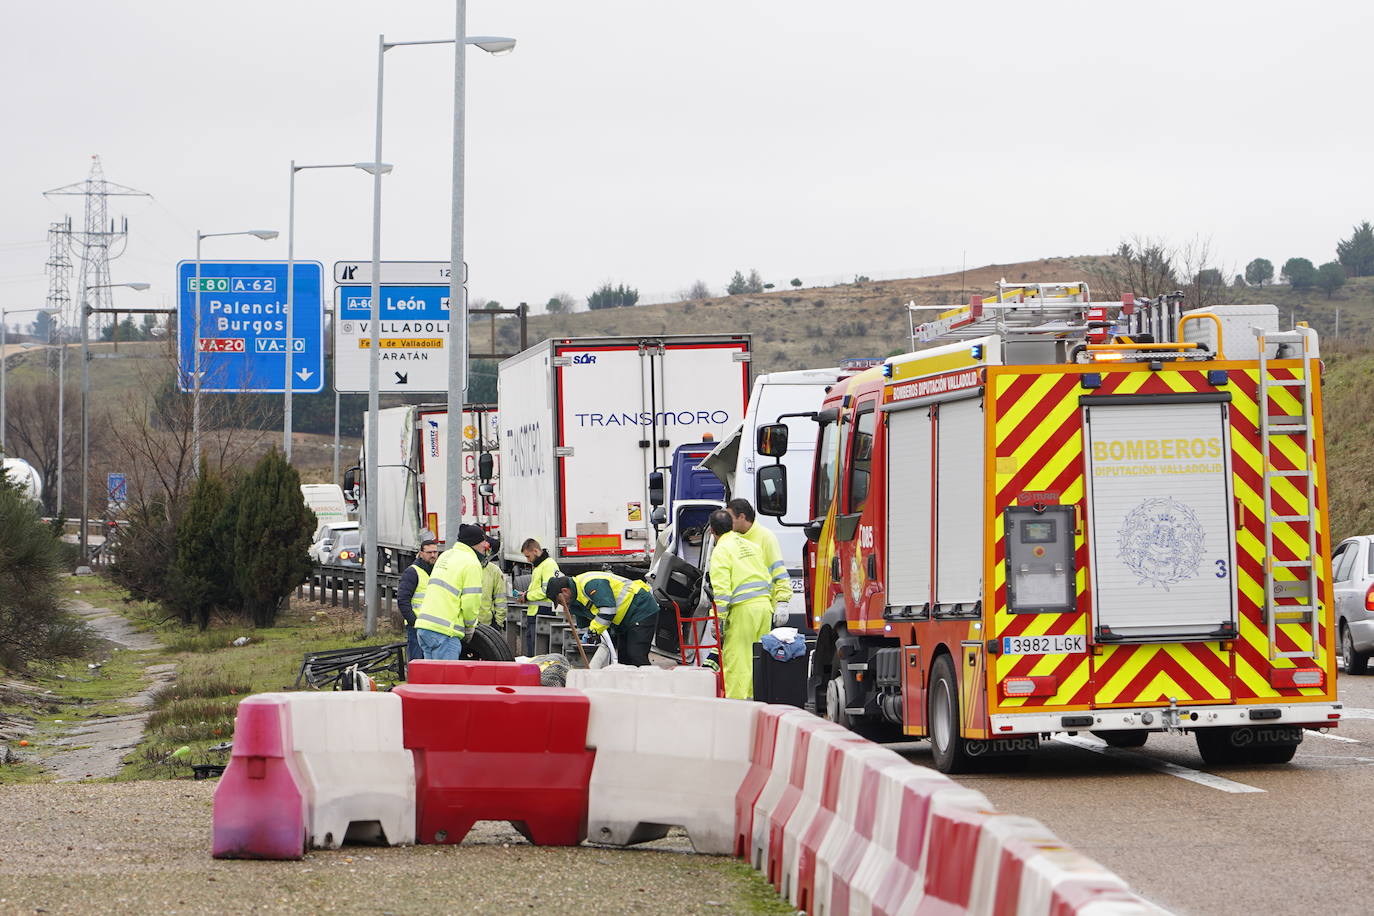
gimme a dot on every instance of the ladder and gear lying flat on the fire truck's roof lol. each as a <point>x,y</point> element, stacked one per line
<point>1019,310</point>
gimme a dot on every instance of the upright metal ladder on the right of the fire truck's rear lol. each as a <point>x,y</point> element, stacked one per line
<point>1273,429</point>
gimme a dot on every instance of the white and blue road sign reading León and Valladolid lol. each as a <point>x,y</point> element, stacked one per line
<point>413,332</point>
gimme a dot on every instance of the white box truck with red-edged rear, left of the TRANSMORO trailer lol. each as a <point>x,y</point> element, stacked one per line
<point>413,473</point>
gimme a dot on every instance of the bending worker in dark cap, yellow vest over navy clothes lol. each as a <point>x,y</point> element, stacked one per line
<point>609,602</point>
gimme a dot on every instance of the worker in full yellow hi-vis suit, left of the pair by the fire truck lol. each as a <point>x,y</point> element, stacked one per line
<point>743,587</point>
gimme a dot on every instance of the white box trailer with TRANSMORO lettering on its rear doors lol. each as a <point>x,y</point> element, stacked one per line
<point>585,424</point>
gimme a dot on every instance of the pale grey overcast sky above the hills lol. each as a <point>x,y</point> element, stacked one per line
<point>659,145</point>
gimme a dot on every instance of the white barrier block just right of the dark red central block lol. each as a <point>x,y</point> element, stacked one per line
<point>664,762</point>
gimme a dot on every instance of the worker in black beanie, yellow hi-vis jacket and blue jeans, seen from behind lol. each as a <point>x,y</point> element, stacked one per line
<point>454,597</point>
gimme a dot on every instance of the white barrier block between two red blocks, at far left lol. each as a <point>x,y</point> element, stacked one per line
<point>358,777</point>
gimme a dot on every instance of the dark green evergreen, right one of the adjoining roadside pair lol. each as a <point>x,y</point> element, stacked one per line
<point>273,531</point>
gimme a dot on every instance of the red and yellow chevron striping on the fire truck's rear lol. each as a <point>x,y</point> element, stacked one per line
<point>1037,429</point>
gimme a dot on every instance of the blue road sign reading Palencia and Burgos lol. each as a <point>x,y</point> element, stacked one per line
<point>244,328</point>
